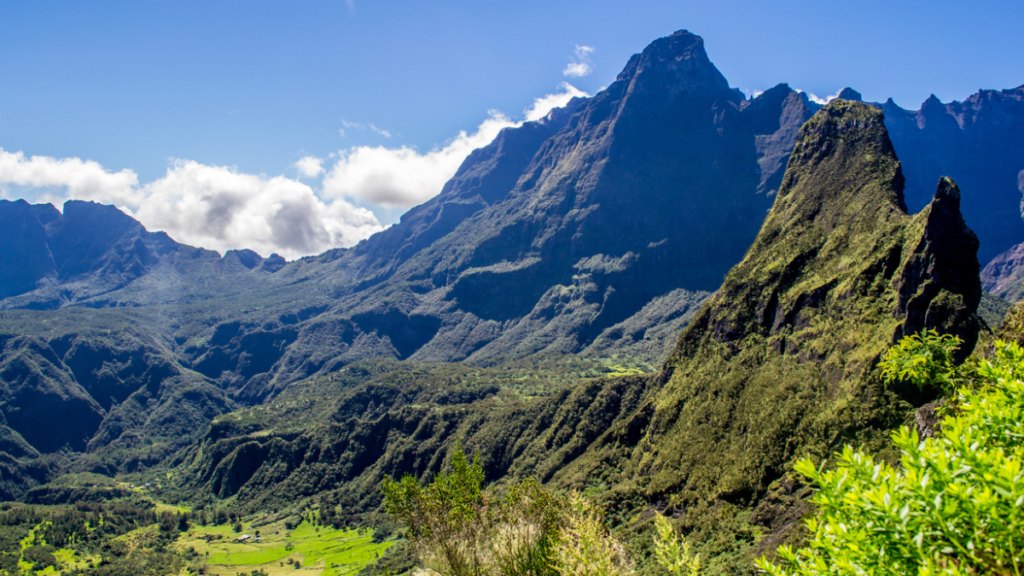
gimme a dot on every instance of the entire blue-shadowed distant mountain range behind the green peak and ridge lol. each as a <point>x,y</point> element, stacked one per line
<point>599,231</point>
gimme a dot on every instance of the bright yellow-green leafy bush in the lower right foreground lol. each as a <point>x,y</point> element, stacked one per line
<point>956,504</point>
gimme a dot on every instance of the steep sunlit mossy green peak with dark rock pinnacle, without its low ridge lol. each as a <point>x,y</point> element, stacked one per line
<point>782,362</point>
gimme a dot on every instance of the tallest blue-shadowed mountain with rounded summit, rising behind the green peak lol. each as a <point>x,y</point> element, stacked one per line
<point>668,155</point>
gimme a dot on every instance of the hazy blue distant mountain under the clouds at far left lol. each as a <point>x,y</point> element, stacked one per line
<point>89,253</point>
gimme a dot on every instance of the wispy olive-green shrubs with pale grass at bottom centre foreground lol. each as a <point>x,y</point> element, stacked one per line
<point>459,529</point>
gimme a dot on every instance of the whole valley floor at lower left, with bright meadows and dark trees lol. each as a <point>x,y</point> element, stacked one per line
<point>138,538</point>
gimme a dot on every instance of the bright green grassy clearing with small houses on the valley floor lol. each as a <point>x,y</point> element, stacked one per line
<point>321,551</point>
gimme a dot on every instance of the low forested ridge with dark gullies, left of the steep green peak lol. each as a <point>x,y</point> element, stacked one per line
<point>338,436</point>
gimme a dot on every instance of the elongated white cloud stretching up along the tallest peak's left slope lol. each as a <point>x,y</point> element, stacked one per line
<point>404,177</point>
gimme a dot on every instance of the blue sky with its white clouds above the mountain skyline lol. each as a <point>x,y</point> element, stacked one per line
<point>230,96</point>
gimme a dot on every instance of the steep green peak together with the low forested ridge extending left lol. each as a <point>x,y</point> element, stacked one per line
<point>780,364</point>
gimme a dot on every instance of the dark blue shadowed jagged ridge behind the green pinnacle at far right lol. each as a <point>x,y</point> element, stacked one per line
<point>978,144</point>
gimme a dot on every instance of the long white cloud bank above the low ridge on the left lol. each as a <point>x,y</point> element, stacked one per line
<point>216,208</point>
